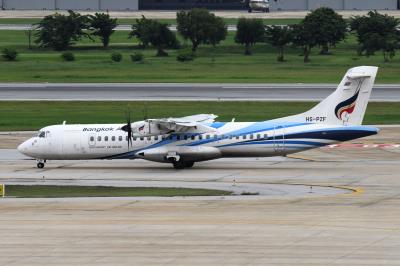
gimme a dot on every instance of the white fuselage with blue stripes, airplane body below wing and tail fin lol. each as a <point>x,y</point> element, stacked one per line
<point>233,139</point>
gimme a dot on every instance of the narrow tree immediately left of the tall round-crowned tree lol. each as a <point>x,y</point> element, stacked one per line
<point>304,38</point>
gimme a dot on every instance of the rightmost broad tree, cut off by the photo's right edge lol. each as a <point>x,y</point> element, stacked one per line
<point>376,32</point>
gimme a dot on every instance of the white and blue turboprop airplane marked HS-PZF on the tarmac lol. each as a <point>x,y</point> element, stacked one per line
<point>184,141</point>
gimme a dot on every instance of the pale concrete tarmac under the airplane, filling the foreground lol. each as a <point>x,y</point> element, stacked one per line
<point>359,228</point>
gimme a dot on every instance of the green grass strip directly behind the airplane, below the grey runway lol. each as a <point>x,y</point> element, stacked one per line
<point>35,115</point>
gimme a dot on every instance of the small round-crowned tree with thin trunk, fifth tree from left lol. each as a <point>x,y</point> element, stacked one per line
<point>249,31</point>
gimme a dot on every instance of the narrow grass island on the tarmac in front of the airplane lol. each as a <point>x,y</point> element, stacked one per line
<point>45,191</point>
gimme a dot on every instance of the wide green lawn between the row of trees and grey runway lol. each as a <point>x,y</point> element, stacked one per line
<point>224,63</point>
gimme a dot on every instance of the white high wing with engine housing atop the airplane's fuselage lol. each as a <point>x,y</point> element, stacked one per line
<point>183,124</point>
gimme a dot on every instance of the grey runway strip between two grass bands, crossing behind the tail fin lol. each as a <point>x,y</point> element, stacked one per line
<point>180,91</point>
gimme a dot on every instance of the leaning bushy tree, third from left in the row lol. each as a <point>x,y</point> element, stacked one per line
<point>150,31</point>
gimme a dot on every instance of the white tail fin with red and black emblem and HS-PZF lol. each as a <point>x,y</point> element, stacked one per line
<point>347,104</point>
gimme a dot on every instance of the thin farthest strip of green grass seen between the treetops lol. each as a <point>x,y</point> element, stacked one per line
<point>229,21</point>
